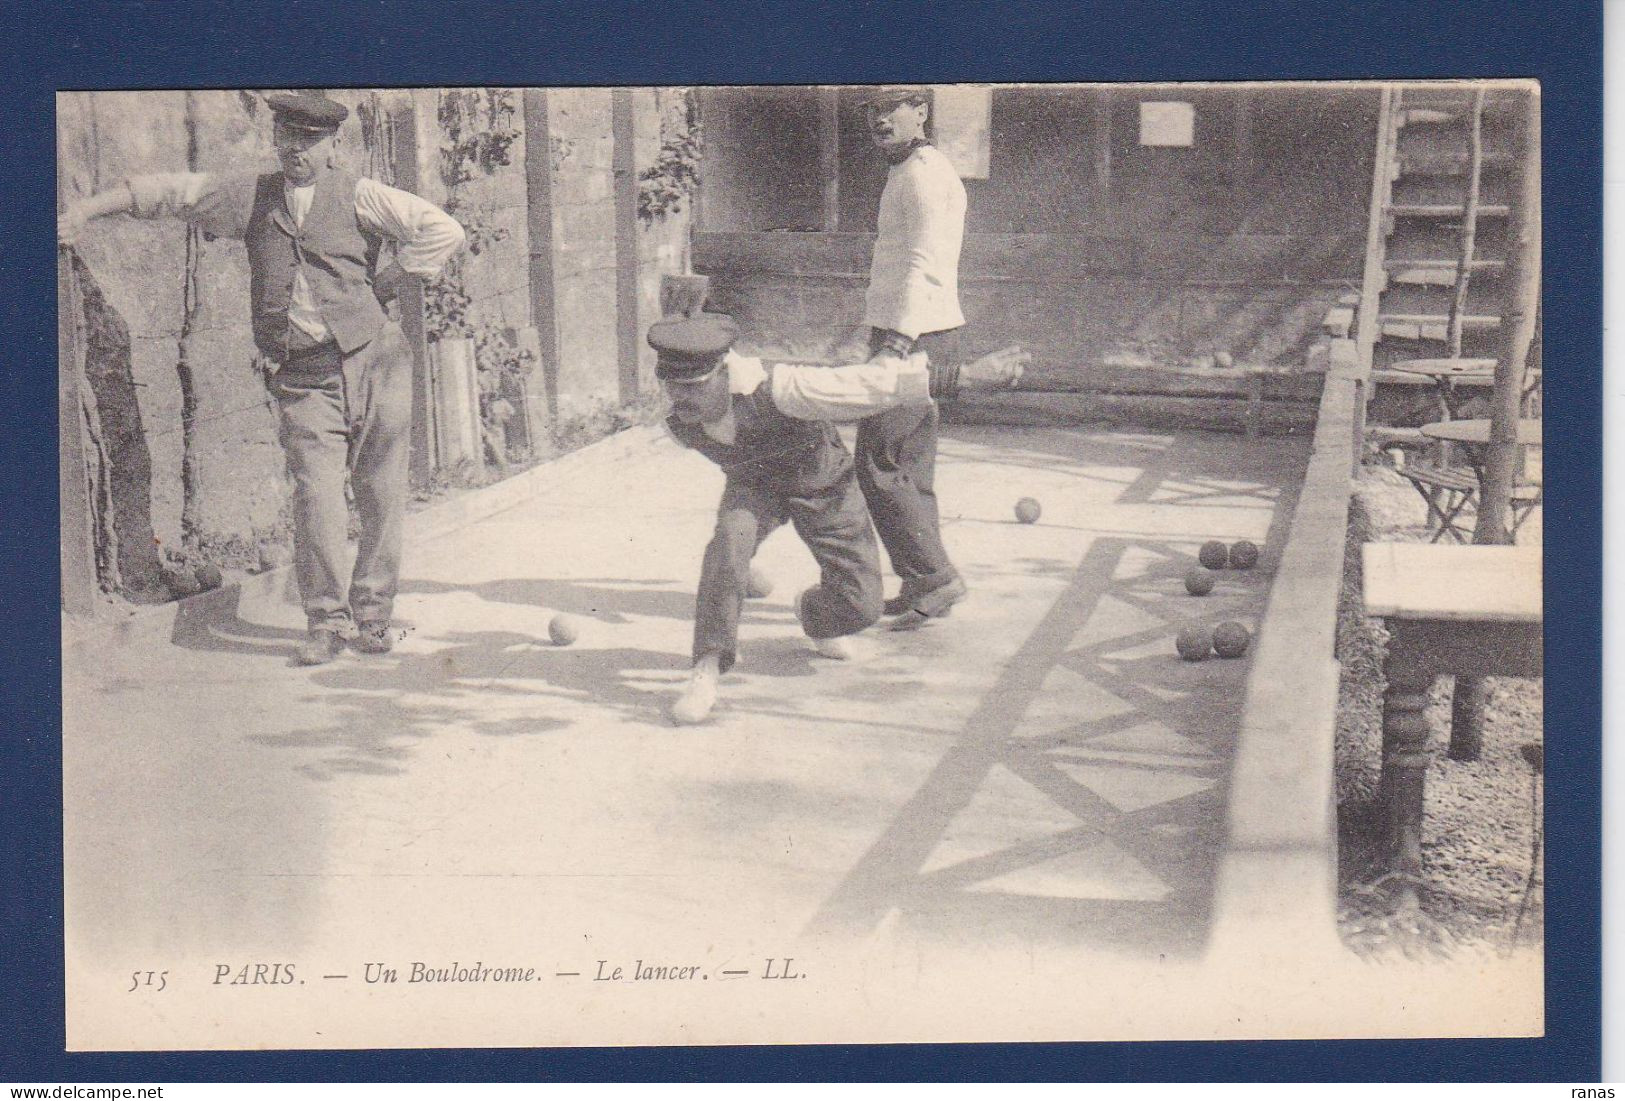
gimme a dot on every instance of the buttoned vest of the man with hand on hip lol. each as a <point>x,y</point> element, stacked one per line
<point>336,254</point>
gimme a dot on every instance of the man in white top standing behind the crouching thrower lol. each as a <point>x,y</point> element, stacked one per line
<point>912,304</point>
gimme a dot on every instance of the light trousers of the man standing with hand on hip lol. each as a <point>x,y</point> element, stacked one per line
<point>349,415</point>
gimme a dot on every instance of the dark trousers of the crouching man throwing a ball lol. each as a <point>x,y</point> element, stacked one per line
<point>833,525</point>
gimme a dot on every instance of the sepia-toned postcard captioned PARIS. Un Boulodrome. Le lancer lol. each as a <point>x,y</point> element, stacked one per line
<point>784,564</point>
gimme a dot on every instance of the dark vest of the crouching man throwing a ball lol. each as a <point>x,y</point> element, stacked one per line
<point>773,451</point>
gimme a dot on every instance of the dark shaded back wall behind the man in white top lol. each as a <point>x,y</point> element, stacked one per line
<point>1093,256</point>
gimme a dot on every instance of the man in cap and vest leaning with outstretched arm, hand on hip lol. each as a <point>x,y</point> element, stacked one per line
<point>319,309</point>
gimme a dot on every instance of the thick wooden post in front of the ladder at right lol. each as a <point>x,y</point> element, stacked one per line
<point>1523,277</point>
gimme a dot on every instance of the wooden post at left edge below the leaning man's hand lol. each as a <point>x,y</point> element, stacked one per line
<point>79,555</point>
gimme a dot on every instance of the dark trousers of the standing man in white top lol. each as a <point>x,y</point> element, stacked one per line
<point>896,460</point>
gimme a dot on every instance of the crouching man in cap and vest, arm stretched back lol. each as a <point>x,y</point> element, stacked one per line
<point>769,428</point>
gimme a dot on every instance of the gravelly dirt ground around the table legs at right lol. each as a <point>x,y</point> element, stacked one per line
<point>1481,831</point>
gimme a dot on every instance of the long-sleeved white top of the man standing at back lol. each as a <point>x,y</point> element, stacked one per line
<point>914,277</point>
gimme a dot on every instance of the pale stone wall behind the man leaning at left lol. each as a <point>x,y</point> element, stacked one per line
<point>165,313</point>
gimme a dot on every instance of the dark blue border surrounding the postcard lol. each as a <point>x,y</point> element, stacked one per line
<point>596,43</point>
